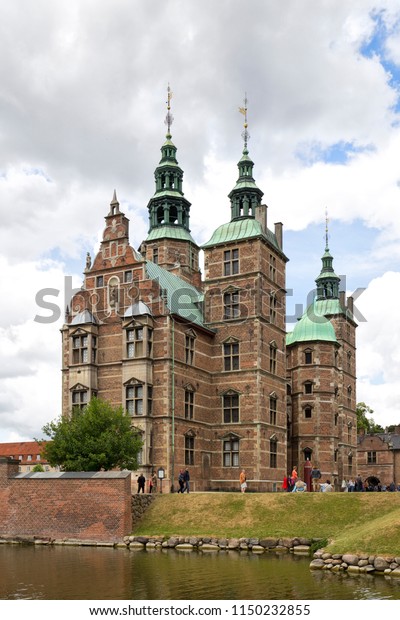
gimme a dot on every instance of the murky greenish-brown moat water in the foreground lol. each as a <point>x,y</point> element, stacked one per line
<point>86,573</point>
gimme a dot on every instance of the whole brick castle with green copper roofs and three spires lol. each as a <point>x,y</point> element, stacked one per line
<point>204,366</point>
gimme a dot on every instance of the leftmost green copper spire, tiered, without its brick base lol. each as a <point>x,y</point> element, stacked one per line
<point>168,207</point>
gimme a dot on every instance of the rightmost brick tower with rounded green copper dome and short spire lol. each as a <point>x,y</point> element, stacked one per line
<point>321,366</point>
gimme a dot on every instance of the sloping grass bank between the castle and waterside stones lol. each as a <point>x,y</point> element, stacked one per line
<point>351,522</point>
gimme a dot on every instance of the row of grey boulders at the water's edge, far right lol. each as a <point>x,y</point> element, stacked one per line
<point>352,563</point>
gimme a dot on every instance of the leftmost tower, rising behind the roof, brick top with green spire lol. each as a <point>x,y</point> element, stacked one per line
<point>169,242</point>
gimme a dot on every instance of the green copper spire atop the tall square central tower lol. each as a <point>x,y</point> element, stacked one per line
<point>245,196</point>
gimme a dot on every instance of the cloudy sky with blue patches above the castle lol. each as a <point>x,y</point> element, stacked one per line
<point>83,88</point>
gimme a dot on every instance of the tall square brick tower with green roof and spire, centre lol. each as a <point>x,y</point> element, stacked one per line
<point>245,306</point>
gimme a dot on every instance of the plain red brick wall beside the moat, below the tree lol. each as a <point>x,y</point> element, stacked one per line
<point>68,505</point>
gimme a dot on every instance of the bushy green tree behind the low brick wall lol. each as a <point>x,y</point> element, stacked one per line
<point>98,437</point>
